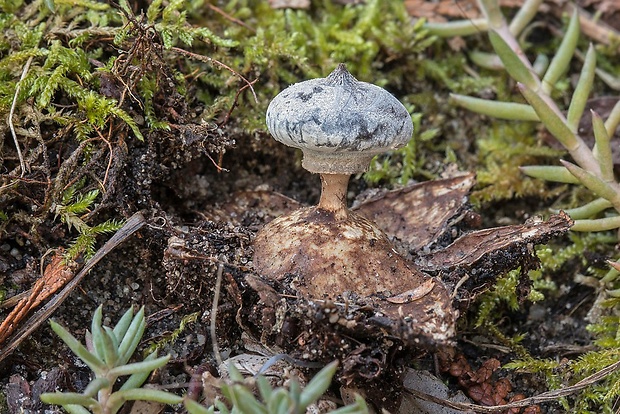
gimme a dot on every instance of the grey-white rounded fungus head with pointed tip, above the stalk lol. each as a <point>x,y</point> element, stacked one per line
<point>338,122</point>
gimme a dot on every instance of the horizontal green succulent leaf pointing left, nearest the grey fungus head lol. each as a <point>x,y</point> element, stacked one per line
<point>500,110</point>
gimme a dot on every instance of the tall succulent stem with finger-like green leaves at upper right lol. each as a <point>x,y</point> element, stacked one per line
<point>592,167</point>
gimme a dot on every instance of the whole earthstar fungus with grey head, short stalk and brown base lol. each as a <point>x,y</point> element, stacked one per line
<point>327,252</point>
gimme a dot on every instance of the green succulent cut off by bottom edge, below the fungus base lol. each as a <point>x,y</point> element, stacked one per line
<point>294,400</point>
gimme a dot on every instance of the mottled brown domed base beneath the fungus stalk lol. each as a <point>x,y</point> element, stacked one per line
<point>322,257</point>
